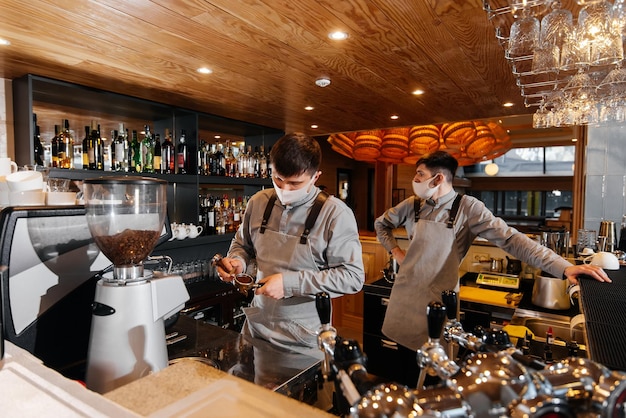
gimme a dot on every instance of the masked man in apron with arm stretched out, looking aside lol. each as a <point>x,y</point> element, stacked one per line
<point>441,225</point>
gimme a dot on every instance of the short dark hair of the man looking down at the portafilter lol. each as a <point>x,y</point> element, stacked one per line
<point>295,154</point>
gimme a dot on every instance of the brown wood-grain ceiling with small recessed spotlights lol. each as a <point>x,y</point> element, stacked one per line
<point>267,54</point>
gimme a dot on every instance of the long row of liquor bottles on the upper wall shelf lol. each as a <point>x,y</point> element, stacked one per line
<point>126,151</point>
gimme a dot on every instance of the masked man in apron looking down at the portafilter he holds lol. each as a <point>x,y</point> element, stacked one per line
<point>294,264</point>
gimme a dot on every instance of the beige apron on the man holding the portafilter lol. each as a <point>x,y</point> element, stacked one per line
<point>291,323</point>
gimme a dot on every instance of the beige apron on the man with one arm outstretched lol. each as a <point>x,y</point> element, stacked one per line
<point>431,266</point>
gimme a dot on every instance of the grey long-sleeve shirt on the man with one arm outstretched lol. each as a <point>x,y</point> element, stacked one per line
<point>473,220</point>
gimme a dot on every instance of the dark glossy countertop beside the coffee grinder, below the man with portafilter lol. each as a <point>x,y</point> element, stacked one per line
<point>254,360</point>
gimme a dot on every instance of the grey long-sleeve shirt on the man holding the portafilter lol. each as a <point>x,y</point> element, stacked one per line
<point>334,242</point>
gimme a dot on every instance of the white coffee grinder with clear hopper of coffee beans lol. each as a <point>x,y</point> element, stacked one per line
<point>125,216</point>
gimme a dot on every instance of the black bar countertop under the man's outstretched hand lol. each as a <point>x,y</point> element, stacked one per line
<point>604,307</point>
